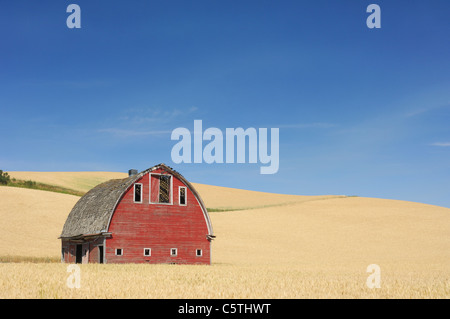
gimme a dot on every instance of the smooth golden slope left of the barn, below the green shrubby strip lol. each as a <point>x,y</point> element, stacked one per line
<point>32,220</point>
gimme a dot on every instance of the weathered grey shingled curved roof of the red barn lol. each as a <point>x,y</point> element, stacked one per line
<point>92,213</point>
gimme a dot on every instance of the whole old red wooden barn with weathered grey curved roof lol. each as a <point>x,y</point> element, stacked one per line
<point>155,216</point>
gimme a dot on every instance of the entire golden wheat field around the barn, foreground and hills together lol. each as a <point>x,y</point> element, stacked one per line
<point>274,246</point>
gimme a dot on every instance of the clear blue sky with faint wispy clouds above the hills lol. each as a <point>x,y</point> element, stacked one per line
<point>360,111</point>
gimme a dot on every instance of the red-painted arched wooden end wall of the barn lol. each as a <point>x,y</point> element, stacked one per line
<point>160,227</point>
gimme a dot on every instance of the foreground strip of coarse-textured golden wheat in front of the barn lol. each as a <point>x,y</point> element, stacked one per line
<point>216,281</point>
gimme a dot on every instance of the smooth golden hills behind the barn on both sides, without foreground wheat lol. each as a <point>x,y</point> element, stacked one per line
<point>311,230</point>
